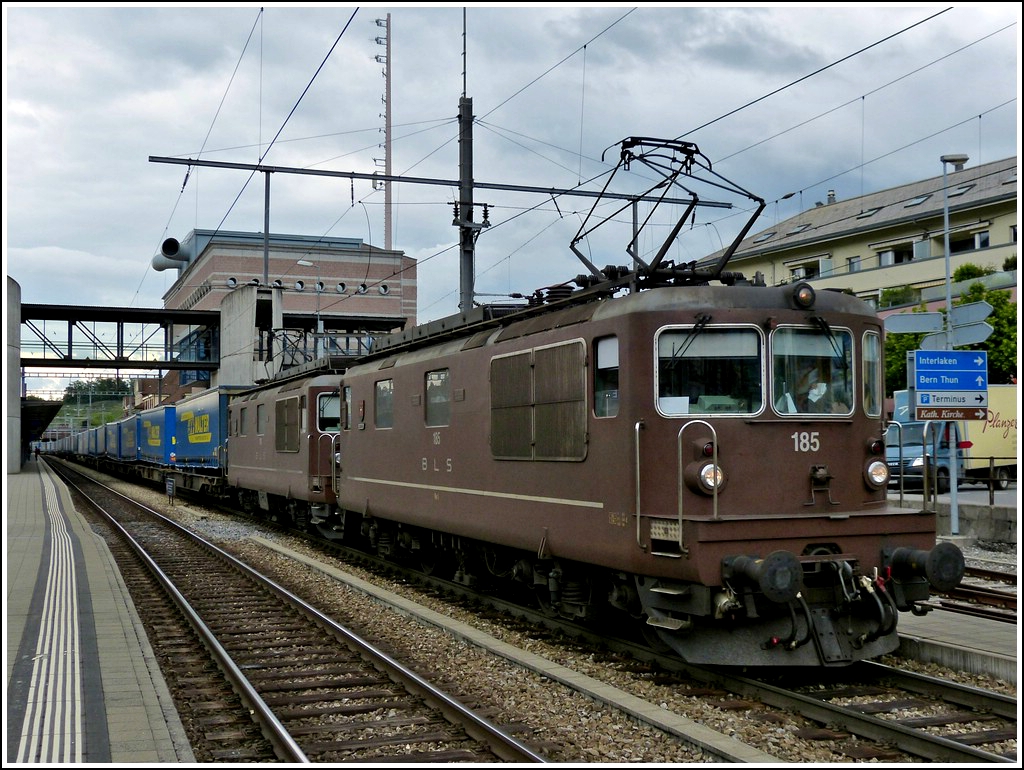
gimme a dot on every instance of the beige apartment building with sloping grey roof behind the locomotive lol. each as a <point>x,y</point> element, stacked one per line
<point>895,238</point>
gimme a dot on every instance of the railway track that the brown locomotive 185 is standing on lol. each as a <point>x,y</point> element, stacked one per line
<point>874,713</point>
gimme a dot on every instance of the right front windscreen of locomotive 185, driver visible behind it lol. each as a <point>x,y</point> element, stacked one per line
<point>813,371</point>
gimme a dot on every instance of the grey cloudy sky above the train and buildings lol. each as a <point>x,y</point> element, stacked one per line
<point>783,99</point>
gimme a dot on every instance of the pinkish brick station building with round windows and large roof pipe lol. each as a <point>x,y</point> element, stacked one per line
<point>285,302</point>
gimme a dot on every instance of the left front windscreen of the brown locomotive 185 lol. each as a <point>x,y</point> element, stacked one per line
<point>709,371</point>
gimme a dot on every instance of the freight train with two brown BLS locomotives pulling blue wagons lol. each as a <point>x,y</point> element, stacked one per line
<point>689,450</point>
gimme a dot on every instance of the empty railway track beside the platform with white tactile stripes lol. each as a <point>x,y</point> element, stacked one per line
<point>269,678</point>
